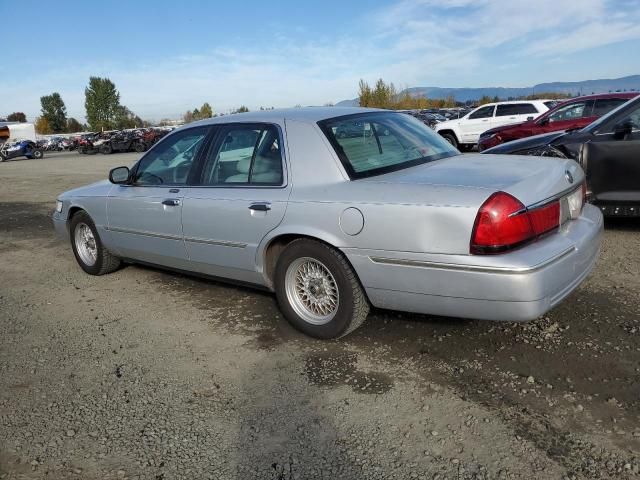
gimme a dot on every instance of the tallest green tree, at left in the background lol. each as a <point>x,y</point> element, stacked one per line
<point>102,102</point>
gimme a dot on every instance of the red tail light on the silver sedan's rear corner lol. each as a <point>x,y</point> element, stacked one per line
<point>504,223</point>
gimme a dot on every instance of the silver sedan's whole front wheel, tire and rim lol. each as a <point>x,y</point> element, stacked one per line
<point>87,247</point>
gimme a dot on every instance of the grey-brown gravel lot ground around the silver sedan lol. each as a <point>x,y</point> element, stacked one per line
<point>149,374</point>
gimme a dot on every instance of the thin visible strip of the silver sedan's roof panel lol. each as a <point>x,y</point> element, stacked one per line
<point>301,114</point>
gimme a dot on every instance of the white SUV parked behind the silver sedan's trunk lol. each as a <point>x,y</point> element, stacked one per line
<point>466,131</point>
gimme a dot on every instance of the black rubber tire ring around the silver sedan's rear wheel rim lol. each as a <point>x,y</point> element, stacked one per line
<point>342,320</point>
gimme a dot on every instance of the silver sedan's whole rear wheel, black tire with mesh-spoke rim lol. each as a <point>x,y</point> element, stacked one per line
<point>318,291</point>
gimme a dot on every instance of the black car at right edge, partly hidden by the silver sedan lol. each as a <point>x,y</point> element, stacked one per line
<point>609,152</point>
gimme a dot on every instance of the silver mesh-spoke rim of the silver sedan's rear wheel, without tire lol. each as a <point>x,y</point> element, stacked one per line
<point>311,290</point>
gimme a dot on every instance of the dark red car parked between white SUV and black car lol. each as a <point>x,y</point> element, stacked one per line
<point>573,114</point>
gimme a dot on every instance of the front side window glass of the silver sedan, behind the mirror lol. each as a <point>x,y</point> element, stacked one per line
<point>169,162</point>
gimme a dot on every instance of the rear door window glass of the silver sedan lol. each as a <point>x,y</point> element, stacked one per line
<point>247,154</point>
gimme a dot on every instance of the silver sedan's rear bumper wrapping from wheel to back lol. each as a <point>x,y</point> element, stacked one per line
<point>517,286</point>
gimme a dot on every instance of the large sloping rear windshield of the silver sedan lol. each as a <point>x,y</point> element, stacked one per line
<point>381,142</point>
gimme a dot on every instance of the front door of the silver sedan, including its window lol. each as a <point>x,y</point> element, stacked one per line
<point>145,216</point>
